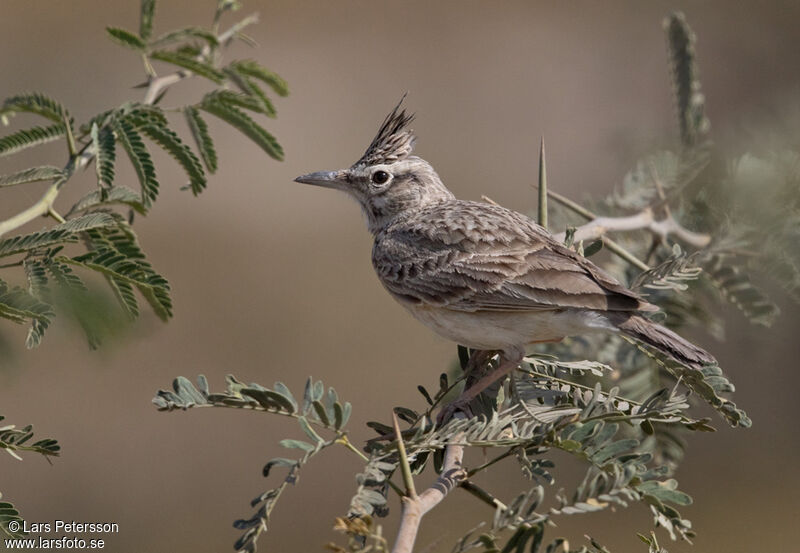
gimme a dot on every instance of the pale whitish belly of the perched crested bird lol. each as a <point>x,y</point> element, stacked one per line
<point>508,329</point>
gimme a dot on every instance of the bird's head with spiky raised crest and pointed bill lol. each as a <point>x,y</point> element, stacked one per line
<point>387,181</point>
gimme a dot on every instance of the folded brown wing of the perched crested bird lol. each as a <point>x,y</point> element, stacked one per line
<point>480,257</point>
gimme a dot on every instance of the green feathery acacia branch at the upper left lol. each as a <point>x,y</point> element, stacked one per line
<point>53,271</point>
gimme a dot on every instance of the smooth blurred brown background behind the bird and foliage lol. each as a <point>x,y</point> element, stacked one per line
<point>272,280</point>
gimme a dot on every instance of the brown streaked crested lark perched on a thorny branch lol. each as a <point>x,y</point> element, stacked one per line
<point>479,274</point>
